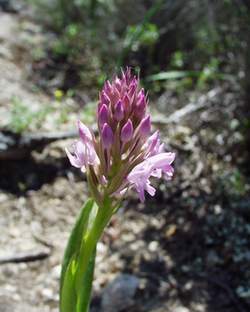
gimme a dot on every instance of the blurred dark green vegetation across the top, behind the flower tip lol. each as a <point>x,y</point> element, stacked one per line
<point>205,42</point>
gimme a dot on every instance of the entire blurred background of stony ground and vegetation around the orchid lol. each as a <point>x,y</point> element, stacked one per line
<point>188,248</point>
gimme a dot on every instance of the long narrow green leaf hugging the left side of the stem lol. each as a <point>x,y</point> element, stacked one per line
<point>68,296</point>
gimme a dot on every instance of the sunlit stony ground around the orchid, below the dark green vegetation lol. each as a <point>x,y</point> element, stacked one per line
<point>185,250</point>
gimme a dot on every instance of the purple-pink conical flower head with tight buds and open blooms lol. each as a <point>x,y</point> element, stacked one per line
<point>124,154</point>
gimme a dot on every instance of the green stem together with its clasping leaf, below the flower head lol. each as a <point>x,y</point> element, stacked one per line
<point>79,260</point>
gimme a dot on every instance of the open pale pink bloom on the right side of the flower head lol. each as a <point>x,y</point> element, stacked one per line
<point>152,166</point>
